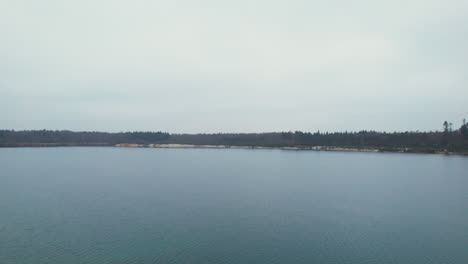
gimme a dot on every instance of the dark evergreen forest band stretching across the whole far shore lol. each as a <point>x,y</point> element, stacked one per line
<point>452,140</point>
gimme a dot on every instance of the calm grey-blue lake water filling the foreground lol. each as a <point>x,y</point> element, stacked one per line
<point>132,205</point>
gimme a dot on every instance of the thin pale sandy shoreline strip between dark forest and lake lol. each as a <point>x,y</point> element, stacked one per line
<point>185,146</point>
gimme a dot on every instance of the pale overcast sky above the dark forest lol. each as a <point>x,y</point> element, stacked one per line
<point>239,66</point>
